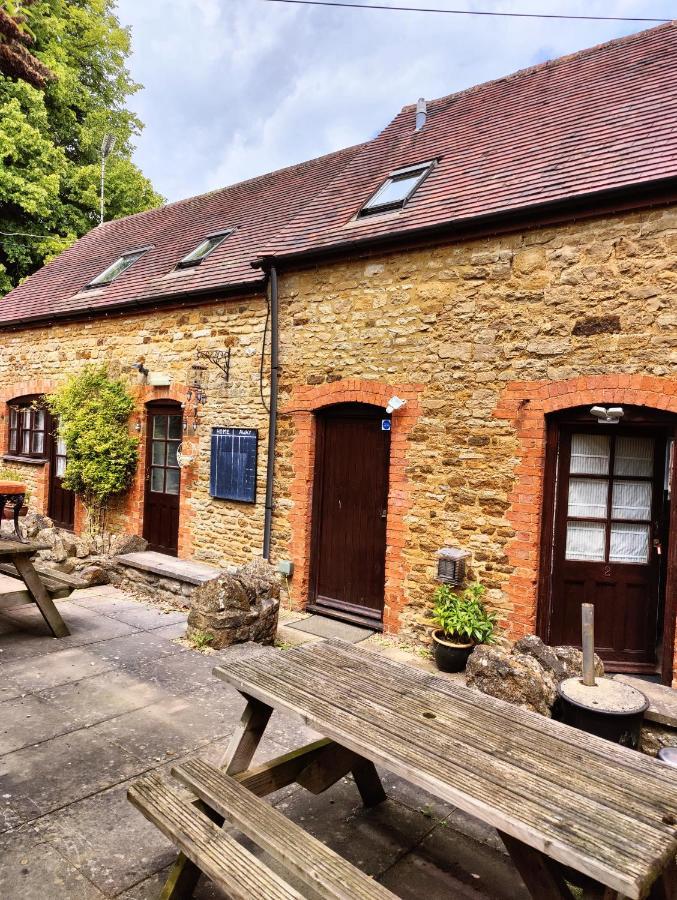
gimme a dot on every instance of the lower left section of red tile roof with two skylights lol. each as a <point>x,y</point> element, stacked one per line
<point>257,209</point>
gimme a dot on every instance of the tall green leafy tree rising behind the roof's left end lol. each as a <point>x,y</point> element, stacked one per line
<point>50,138</point>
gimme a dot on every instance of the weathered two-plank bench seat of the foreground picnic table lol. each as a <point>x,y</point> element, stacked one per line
<point>230,865</point>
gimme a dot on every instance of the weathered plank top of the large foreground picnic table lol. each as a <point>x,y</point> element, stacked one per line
<point>607,811</point>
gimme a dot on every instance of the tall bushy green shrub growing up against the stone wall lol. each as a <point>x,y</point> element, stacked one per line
<point>102,456</point>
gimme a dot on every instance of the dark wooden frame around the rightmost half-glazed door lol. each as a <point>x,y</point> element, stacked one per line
<point>640,416</point>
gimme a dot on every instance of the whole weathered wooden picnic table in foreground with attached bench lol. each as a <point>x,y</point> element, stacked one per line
<point>570,807</point>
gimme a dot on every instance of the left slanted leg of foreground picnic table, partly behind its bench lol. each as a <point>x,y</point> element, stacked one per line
<point>184,874</point>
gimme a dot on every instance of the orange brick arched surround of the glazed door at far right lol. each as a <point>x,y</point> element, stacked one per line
<point>525,404</point>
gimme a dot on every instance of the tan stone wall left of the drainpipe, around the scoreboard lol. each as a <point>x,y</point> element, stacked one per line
<point>216,531</point>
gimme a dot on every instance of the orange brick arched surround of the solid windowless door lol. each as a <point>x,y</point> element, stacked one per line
<point>308,399</point>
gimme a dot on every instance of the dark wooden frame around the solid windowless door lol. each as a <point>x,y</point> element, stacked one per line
<point>321,415</point>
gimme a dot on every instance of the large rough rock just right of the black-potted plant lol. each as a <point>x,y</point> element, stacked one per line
<point>517,678</point>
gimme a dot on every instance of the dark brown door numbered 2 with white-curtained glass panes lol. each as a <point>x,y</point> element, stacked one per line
<point>606,549</point>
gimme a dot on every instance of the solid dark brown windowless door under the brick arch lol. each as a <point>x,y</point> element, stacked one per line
<point>349,512</point>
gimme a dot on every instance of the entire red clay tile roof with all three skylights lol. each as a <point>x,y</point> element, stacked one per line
<point>601,119</point>
